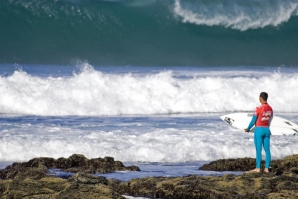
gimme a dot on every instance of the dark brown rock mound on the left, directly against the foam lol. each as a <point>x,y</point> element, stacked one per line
<point>75,163</point>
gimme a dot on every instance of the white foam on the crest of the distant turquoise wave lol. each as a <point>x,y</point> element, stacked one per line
<point>241,15</point>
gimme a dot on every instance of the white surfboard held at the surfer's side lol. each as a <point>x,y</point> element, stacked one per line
<point>279,126</point>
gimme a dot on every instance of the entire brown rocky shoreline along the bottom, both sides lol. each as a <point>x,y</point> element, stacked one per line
<point>32,180</point>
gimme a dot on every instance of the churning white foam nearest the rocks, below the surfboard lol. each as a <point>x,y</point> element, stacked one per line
<point>188,142</point>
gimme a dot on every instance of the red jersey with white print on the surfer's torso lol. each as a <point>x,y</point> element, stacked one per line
<point>264,114</point>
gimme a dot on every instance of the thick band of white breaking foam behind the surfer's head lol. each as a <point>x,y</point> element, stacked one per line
<point>92,92</point>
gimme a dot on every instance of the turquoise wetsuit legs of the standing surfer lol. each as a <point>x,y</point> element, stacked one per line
<point>262,138</point>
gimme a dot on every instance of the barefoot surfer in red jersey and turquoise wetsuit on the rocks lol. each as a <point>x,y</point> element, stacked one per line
<point>262,117</point>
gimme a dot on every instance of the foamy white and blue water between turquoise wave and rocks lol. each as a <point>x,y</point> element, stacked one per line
<point>165,120</point>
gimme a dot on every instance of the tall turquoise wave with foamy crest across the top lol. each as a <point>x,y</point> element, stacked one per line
<point>152,32</point>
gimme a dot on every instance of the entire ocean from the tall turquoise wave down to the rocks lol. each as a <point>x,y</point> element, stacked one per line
<point>143,81</point>
